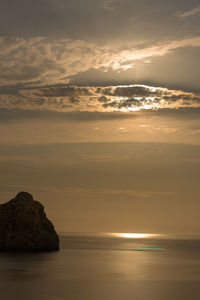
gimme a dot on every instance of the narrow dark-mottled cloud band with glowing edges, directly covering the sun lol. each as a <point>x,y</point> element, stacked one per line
<point>99,99</point>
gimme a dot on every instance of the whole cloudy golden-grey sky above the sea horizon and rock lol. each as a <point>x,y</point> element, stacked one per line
<point>99,112</point>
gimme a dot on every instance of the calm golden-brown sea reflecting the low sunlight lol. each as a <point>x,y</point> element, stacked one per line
<point>105,267</point>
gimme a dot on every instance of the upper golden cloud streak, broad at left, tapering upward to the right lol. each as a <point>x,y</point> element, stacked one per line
<point>39,61</point>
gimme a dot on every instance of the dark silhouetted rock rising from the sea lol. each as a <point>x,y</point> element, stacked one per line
<point>24,225</point>
